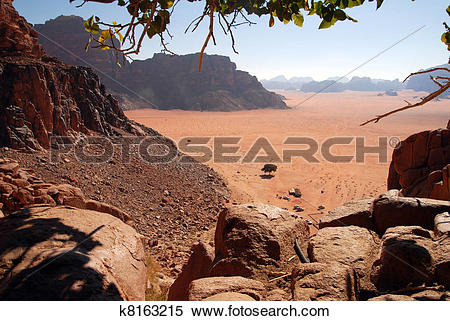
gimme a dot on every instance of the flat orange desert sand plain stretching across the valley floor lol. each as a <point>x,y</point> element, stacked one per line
<point>318,116</point>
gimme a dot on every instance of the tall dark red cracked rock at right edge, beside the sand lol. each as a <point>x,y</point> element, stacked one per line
<point>420,166</point>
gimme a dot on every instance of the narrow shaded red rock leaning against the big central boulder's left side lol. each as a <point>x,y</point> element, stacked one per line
<point>198,266</point>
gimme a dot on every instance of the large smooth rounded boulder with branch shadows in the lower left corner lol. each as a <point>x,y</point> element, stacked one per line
<point>62,253</point>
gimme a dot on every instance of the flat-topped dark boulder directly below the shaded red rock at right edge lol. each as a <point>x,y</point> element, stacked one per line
<point>391,211</point>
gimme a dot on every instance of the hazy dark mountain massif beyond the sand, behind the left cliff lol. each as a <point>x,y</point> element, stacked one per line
<point>163,81</point>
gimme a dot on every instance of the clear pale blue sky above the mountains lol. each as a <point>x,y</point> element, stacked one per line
<point>292,51</point>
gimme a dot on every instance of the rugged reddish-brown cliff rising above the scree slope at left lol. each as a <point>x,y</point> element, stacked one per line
<point>42,97</point>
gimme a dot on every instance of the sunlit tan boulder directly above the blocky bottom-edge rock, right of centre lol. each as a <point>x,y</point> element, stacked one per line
<point>354,246</point>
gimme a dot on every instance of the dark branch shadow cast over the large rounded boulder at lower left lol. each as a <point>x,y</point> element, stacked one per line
<point>59,273</point>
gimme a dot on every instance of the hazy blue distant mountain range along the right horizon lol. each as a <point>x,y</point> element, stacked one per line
<point>338,84</point>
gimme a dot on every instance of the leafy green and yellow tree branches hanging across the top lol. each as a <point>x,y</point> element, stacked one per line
<point>150,18</point>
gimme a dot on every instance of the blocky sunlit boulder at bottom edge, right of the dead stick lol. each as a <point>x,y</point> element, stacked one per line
<point>324,282</point>
